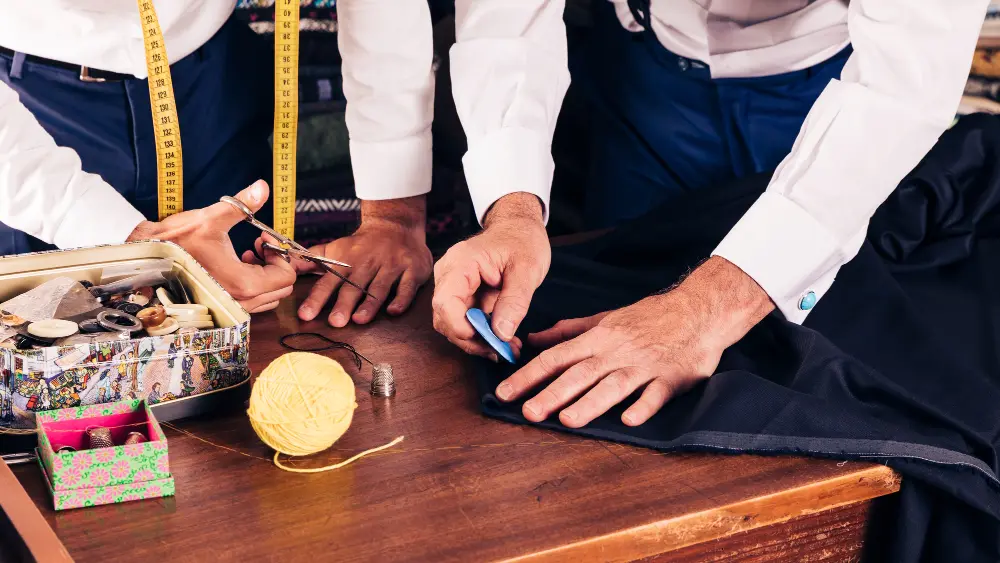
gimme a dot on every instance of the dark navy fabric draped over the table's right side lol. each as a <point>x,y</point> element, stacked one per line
<point>897,363</point>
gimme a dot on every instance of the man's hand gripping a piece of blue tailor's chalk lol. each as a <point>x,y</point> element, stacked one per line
<point>497,270</point>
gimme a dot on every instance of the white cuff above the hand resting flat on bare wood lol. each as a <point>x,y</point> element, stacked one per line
<point>392,169</point>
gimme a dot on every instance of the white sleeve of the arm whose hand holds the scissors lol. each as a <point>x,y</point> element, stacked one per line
<point>45,193</point>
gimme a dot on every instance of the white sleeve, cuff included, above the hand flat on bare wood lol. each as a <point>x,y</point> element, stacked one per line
<point>388,51</point>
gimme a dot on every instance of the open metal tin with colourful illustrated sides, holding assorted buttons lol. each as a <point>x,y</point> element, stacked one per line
<point>201,370</point>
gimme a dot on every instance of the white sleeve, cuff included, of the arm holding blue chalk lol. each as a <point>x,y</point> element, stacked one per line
<point>509,76</point>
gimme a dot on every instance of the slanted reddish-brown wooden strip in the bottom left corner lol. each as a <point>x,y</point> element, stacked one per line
<point>38,537</point>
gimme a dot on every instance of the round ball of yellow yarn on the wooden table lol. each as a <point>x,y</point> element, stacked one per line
<point>302,403</point>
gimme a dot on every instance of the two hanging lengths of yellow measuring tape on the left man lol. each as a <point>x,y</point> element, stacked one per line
<point>170,179</point>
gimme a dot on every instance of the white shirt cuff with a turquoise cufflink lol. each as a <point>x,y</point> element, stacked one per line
<point>793,257</point>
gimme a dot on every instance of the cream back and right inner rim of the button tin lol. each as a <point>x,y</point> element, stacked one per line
<point>22,272</point>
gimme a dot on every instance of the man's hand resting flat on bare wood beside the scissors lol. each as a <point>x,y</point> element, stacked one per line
<point>389,249</point>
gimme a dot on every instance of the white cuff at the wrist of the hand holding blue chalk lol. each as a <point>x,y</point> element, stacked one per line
<point>507,161</point>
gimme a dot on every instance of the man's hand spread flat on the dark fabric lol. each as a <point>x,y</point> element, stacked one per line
<point>665,343</point>
